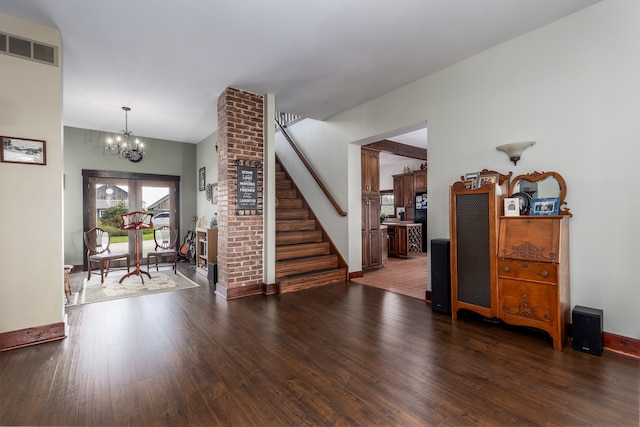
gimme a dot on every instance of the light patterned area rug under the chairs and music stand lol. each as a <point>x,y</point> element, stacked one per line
<point>132,286</point>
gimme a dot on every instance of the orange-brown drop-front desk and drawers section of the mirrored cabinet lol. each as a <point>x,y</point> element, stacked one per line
<point>533,274</point>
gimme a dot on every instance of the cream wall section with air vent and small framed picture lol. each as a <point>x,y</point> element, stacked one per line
<point>31,273</point>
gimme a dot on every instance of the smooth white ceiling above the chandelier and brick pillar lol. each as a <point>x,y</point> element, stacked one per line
<point>170,60</point>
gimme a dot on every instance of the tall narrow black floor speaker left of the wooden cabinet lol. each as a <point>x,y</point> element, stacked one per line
<point>440,276</point>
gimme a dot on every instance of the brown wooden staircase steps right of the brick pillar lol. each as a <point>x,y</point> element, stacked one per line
<point>305,257</point>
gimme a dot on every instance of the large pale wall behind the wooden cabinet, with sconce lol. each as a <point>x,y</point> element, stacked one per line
<point>572,86</point>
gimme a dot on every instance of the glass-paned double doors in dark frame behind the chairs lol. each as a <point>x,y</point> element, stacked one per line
<point>108,194</point>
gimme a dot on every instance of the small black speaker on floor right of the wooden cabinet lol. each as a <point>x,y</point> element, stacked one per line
<point>586,327</point>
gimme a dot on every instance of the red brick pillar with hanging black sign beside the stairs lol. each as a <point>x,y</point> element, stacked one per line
<point>240,232</point>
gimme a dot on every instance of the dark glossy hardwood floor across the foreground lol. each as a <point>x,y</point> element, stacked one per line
<point>342,354</point>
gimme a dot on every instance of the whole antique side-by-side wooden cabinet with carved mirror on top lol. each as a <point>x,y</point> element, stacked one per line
<point>513,268</point>
